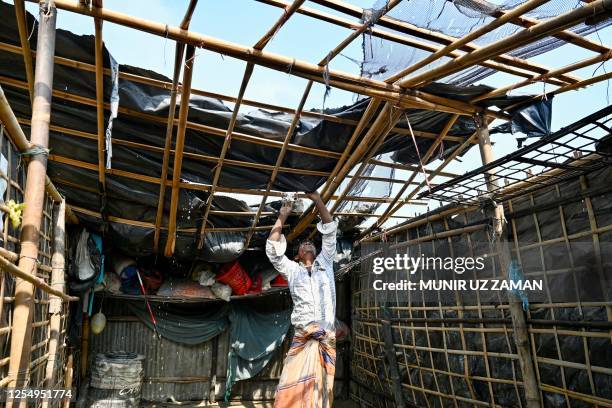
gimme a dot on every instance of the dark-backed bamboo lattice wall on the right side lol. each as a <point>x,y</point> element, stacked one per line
<point>455,353</point>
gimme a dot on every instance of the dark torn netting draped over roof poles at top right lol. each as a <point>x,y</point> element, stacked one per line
<point>454,19</point>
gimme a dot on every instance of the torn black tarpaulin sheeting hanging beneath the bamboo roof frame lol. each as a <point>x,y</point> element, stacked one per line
<point>138,139</point>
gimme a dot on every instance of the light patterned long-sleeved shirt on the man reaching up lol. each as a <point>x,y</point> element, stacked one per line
<point>314,295</point>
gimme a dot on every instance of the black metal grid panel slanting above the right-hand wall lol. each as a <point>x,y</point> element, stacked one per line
<point>577,149</point>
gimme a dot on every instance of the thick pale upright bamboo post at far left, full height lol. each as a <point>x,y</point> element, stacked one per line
<point>21,341</point>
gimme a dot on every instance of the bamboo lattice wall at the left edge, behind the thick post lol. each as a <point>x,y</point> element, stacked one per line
<point>14,177</point>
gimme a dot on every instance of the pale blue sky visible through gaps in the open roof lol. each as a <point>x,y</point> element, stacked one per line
<point>245,21</point>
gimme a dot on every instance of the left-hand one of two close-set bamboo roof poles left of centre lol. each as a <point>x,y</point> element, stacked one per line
<point>178,60</point>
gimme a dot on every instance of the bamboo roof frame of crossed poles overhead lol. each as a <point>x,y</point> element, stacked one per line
<point>393,93</point>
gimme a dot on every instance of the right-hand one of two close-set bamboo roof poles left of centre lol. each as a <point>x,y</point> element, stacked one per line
<point>180,143</point>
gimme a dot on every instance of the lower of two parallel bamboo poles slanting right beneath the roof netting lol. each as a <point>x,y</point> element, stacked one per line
<point>503,63</point>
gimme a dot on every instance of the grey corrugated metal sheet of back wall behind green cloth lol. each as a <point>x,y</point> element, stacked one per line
<point>182,372</point>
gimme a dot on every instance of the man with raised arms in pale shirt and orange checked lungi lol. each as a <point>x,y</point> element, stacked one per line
<point>307,379</point>
